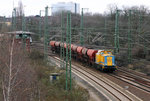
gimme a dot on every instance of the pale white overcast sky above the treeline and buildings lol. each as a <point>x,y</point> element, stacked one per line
<point>32,7</point>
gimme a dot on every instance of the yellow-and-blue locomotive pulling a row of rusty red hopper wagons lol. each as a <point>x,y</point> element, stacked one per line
<point>101,59</point>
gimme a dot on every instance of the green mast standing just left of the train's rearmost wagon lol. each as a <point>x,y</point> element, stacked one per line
<point>45,33</point>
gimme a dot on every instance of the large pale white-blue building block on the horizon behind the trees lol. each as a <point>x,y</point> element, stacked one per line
<point>65,6</point>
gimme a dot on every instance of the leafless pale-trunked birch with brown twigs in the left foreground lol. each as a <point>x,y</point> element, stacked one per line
<point>17,75</point>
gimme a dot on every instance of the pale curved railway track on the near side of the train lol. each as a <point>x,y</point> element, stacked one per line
<point>110,89</point>
